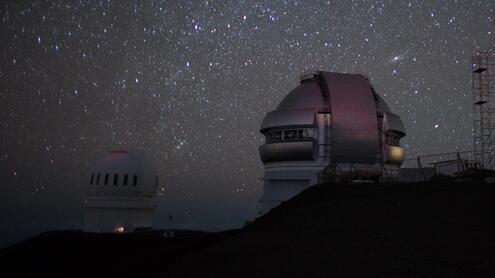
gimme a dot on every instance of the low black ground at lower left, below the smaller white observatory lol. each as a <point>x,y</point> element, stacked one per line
<point>78,254</point>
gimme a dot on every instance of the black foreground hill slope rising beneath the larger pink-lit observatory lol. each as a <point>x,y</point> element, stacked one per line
<point>363,230</point>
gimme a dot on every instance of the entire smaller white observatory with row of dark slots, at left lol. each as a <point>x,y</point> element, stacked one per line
<point>120,194</point>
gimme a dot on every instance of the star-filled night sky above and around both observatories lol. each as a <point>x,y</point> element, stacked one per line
<point>188,82</point>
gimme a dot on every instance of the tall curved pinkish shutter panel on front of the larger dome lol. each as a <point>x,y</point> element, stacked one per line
<point>354,120</point>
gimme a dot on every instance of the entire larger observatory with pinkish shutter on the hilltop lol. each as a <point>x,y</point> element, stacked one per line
<point>332,127</point>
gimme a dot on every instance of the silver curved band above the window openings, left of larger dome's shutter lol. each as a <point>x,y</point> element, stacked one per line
<point>290,117</point>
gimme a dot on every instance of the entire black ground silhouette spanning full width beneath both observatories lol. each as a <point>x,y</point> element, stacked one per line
<point>436,229</point>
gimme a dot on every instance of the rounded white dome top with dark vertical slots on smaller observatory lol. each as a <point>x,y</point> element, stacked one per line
<point>123,173</point>
